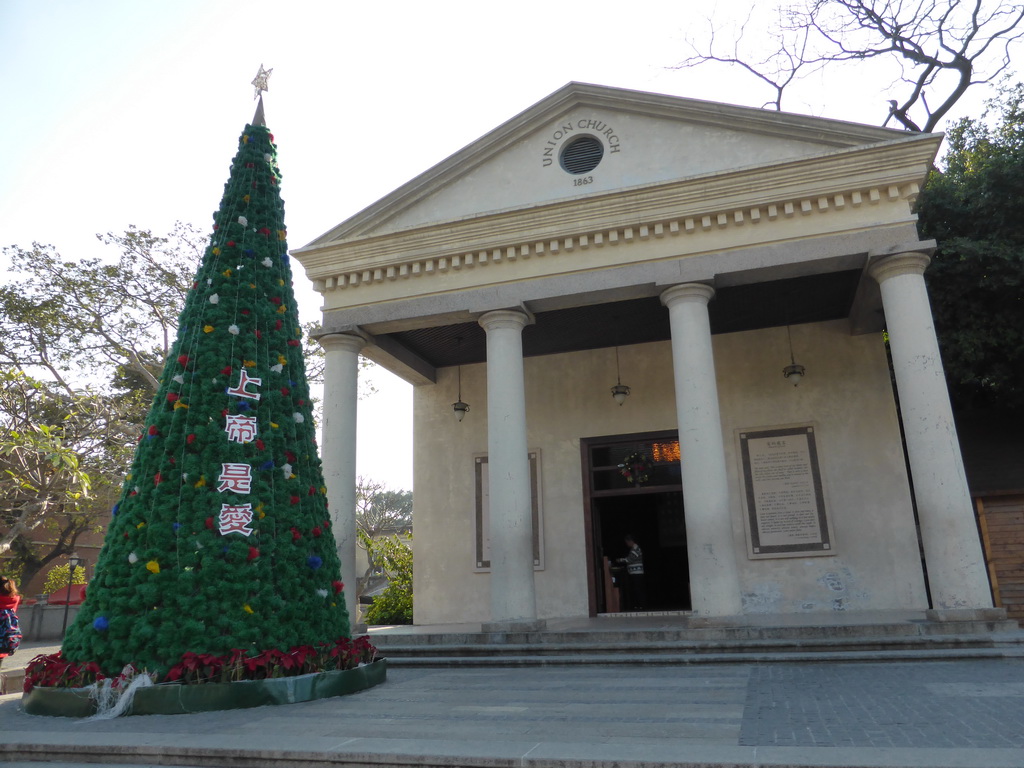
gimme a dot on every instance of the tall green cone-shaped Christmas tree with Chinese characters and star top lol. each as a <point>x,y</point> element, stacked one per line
<point>222,539</point>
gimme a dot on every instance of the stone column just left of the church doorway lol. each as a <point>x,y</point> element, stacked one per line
<point>514,604</point>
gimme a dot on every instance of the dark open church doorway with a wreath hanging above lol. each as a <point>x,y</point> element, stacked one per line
<point>633,487</point>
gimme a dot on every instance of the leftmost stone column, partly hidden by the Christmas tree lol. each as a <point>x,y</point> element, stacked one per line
<point>338,450</point>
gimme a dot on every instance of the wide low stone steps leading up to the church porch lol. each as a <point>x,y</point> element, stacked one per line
<point>680,639</point>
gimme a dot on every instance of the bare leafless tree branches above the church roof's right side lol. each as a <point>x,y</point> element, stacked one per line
<point>938,48</point>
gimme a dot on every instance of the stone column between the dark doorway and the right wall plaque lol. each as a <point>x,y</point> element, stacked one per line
<point>710,546</point>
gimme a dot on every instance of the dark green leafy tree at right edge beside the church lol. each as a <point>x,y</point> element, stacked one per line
<point>973,208</point>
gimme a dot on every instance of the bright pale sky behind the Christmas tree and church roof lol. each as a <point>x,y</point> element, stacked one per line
<point>119,113</point>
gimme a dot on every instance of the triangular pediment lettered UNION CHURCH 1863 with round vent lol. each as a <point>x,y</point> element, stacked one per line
<point>643,140</point>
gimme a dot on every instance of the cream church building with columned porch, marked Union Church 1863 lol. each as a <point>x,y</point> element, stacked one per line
<point>727,274</point>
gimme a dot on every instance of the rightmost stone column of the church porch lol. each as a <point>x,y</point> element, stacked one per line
<point>957,573</point>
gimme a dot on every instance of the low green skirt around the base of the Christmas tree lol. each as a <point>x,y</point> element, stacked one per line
<point>174,699</point>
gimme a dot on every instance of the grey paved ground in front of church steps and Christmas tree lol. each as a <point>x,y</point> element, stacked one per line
<point>968,713</point>
